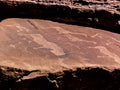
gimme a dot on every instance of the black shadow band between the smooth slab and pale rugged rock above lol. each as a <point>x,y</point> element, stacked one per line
<point>60,13</point>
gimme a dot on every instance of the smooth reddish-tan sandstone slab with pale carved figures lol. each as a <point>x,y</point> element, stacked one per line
<point>33,44</point>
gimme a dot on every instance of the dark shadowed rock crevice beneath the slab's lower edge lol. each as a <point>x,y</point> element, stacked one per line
<point>78,79</point>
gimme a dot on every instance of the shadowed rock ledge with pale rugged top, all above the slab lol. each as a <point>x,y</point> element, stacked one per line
<point>96,13</point>
